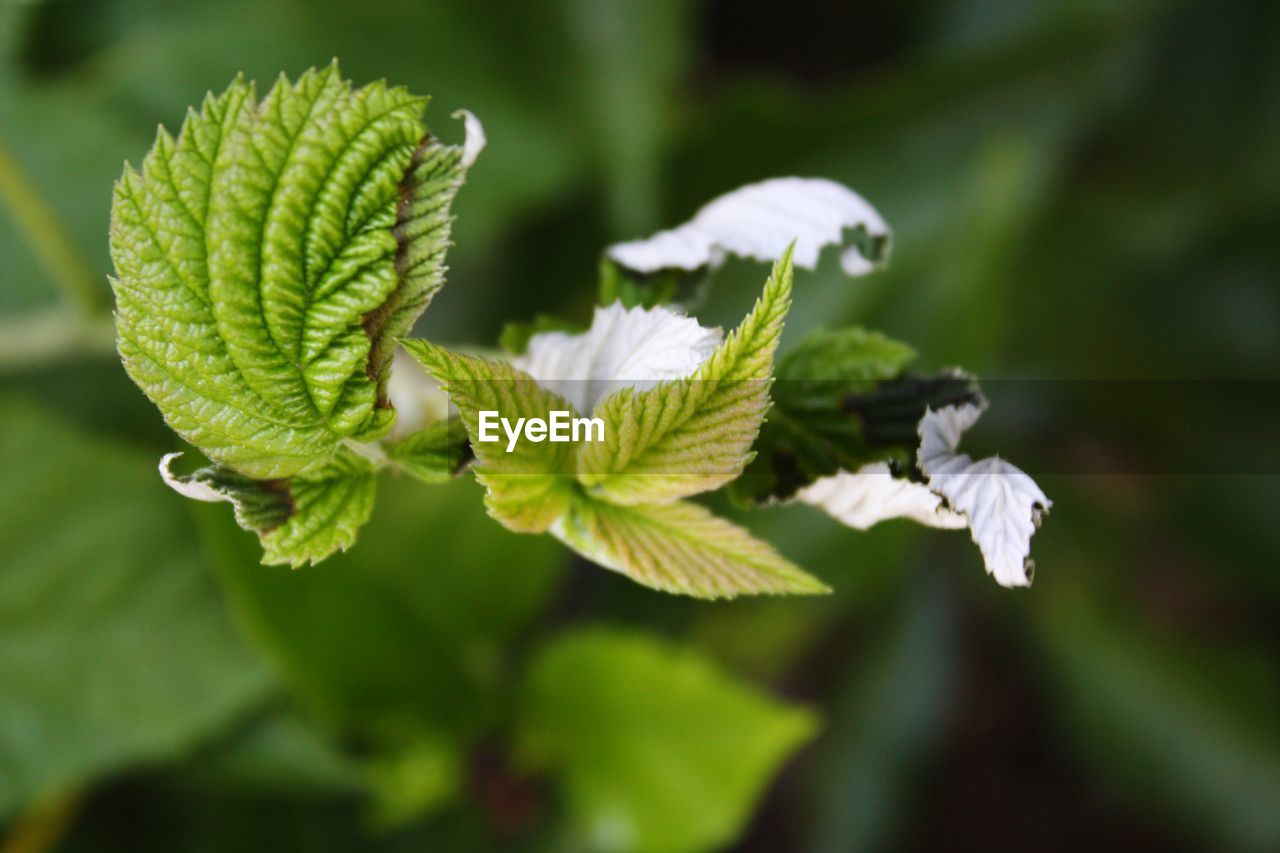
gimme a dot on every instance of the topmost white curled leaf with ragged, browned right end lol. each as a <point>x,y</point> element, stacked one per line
<point>760,221</point>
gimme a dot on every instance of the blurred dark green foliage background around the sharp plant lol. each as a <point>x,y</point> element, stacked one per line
<point>1081,190</point>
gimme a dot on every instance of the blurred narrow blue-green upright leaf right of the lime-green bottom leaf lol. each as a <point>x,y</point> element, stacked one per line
<point>893,708</point>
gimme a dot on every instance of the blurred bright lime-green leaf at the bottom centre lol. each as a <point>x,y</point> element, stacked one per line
<point>656,749</point>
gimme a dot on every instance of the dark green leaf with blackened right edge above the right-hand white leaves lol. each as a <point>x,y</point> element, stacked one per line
<point>843,399</point>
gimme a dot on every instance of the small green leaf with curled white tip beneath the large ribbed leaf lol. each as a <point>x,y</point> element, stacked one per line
<point>299,521</point>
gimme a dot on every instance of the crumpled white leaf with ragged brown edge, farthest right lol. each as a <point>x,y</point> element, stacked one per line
<point>1004,505</point>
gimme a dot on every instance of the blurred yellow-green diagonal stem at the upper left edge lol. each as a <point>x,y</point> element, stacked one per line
<point>51,243</point>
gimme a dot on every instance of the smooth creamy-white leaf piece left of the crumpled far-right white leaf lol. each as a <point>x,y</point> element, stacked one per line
<point>872,495</point>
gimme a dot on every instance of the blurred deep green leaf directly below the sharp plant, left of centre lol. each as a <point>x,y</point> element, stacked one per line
<point>405,633</point>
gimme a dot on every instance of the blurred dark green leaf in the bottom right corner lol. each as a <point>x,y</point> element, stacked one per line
<point>1188,731</point>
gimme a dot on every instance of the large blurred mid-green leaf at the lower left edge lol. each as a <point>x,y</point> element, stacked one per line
<point>115,647</point>
